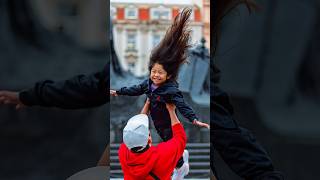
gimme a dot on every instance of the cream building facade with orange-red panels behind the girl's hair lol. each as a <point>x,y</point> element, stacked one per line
<point>139,25</point>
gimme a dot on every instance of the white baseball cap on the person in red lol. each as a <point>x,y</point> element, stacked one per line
<point>136,132</point>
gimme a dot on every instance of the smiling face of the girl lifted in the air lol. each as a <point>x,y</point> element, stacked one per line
<point>158,75</point>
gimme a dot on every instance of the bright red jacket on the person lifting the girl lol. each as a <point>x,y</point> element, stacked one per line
<point>160,160</point>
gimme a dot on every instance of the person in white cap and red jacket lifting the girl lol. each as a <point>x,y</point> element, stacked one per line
<point>139,159</point>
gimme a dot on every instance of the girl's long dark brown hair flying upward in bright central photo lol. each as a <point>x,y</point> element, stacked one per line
<point>171,51</point>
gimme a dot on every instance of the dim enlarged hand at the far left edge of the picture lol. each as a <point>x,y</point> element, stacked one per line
<point>10,97</point>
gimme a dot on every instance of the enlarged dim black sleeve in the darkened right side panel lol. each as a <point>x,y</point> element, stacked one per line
<point>236,145</point>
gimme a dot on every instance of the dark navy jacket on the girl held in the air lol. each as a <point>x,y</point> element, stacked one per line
<point>167,93</point>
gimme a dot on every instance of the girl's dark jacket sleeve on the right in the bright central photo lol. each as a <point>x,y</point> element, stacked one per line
<point>183,107</point>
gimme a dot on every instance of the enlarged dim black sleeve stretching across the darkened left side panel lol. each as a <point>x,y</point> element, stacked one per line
<point>82,91</point>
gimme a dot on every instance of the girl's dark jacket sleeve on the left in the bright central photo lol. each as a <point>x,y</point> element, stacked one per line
<point>135,90</point>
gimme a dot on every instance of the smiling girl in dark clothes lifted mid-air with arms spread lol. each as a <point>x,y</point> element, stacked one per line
<point>161,87</point>
